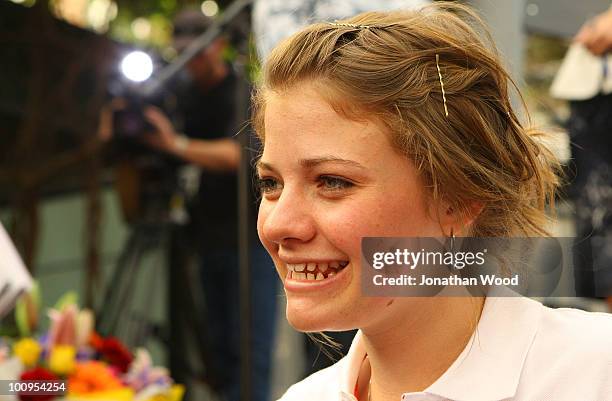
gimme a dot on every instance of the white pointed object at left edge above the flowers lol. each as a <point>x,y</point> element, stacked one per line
<point>14,277</point>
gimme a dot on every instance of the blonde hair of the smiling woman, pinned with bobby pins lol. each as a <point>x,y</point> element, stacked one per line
<point>383,65</point>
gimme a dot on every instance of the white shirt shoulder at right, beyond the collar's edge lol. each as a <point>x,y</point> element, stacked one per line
<point>571,356</point>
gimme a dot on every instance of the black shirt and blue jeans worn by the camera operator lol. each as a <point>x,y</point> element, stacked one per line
<point>211,116</point>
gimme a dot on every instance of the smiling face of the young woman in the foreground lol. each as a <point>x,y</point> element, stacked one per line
<point>328,181</point>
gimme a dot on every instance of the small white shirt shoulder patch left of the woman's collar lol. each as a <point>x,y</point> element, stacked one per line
<point>321,385</point>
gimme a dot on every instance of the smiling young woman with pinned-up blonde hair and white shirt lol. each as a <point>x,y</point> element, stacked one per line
<point>399,125</point>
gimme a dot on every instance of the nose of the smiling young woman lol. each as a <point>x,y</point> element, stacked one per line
<point>287,219</point>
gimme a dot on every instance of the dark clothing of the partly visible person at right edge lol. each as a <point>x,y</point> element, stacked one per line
<point>590,126</point>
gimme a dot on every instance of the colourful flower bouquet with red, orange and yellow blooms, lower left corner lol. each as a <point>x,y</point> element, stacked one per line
<point>90,366</point>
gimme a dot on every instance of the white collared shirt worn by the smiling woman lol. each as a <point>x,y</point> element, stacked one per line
<point>521,350</point>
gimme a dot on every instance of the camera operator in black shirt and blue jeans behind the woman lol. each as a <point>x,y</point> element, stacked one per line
<point>208,109</point>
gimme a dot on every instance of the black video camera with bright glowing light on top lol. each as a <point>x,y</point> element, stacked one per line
<point>145,179</point>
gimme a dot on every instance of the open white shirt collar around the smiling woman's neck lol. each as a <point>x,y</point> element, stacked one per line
<point>493,358</point>
